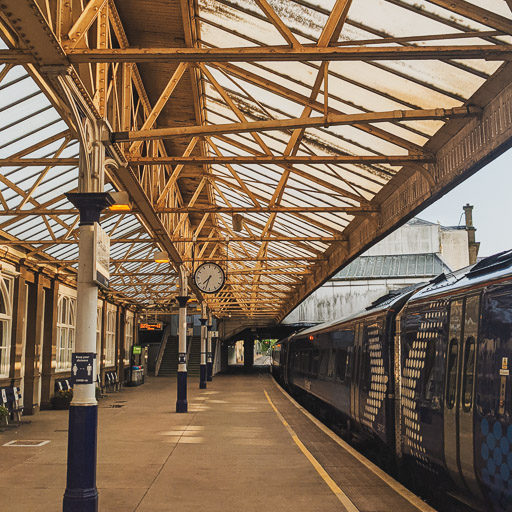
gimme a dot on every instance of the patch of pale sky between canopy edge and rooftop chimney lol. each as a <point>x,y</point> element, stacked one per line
<point>490,192</point>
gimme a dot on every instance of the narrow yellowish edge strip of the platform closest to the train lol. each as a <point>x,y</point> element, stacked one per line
<point>388,479</point>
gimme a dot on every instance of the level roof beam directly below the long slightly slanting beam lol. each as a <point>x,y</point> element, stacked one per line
<point>397,160</point>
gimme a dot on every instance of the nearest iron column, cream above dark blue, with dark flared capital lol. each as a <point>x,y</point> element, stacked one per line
<point>81,493</point>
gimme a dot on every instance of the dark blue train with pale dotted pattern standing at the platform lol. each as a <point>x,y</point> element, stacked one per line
<point>425,373</point>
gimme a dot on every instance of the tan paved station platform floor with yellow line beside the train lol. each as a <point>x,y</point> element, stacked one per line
<point>243,446</point>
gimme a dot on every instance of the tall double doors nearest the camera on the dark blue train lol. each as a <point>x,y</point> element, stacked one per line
<point>460,392</point>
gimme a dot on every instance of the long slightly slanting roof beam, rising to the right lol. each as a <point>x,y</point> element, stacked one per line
<point>303,122</point>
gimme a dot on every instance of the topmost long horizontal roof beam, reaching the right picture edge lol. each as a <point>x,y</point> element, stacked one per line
<point>285,53</point>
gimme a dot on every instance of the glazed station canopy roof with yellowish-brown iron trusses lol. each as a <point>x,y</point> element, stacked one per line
<point>278,138</point>
